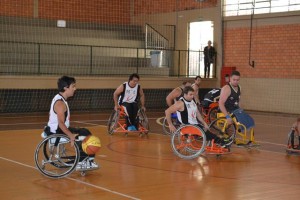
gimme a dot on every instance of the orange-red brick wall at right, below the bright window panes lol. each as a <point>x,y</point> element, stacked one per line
<point>275,50</point>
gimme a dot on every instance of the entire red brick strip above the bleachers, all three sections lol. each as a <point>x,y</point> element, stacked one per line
<point>99,11</point>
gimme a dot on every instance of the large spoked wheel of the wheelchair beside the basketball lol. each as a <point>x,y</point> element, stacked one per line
<point>54,156</point>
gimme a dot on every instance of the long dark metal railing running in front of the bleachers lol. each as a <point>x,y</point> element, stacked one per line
<point>27,58</point>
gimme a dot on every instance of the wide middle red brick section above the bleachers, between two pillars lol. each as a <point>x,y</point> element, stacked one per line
<point>104,11</point>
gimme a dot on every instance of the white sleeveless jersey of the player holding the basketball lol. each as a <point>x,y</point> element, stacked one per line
<point>53,121</point>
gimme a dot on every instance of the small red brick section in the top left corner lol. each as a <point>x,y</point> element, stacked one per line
<point>21,8</point>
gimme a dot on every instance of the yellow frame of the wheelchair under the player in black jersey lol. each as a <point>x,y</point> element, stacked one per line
<point>242,138</point>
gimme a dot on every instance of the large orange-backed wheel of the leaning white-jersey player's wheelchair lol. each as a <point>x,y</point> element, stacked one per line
<point>188,142</point>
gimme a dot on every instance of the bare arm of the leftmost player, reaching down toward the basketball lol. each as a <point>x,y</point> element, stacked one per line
<point>60,109</point>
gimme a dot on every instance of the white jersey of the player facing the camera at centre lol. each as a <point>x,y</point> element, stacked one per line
<point>129,94</point>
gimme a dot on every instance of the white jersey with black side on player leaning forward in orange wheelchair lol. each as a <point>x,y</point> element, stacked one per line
<point>189,114</point>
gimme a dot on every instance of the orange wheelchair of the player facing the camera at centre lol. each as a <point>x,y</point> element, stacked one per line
<point>117,122</point>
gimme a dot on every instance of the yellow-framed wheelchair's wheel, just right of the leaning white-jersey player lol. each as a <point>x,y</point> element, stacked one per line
<point>220,128</point>
